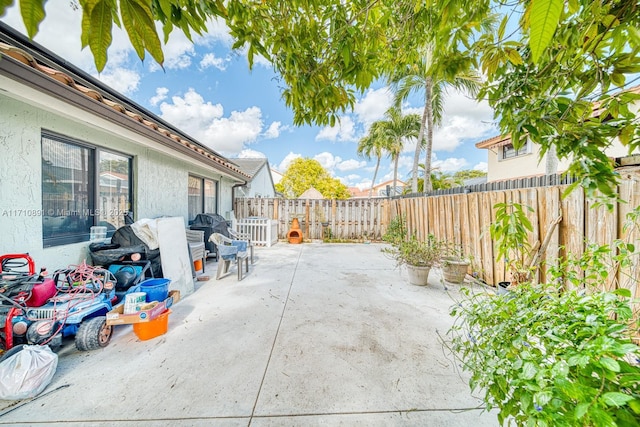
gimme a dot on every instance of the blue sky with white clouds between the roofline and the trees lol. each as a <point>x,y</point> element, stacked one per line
<point>208,91</point>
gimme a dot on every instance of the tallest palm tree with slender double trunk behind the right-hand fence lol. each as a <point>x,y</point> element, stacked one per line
<point>432,75</point>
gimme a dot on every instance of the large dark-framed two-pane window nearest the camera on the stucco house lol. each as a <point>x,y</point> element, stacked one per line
<point>75,197</point>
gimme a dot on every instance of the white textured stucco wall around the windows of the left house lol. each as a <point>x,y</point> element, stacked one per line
<point>159,180</point>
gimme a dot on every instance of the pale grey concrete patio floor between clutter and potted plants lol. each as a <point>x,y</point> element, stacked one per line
<point>315,334</point>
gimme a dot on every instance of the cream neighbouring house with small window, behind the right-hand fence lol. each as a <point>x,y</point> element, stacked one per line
<point>505,162</point>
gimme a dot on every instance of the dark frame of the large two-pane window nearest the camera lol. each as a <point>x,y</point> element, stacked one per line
<point>93,186</point>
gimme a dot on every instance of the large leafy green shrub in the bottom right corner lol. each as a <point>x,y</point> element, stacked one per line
<point>546,357</point>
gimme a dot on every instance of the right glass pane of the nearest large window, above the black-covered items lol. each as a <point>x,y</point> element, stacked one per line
<point>114,193</point>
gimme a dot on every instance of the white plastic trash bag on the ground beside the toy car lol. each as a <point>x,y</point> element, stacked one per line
<point>27,373</point>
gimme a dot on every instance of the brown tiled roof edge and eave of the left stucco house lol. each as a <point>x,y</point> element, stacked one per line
<point>25,61</point>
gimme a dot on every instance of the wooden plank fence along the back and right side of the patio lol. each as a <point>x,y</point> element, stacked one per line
<point>463,219</point>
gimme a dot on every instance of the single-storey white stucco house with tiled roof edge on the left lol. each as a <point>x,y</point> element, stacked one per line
<point>77,154</point>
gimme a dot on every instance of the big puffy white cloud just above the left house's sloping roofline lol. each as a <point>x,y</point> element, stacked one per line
<point>205,122</point>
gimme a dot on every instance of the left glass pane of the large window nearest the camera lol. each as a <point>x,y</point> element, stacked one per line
<point>67,189</point>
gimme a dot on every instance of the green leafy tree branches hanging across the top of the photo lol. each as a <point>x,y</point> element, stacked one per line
<point>327,52</point>
